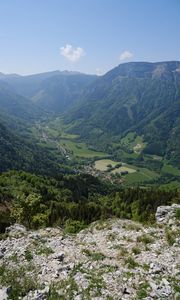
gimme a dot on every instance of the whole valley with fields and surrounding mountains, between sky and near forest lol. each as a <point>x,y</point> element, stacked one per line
<point>122,127</point>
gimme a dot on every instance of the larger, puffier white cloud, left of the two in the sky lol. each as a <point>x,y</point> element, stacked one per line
<point>71,53</point>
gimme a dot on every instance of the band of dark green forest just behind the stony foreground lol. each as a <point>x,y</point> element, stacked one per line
<point>74,201</point>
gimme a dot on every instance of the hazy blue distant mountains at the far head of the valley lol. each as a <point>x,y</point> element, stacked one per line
<point>52,91</point>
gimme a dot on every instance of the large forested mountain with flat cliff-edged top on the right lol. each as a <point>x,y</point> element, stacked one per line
<point>138,96</point>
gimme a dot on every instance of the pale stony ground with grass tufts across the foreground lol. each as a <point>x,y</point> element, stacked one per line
<point>113,259</point>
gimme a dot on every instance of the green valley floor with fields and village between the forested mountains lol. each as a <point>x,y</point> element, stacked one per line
<point>125,157</point>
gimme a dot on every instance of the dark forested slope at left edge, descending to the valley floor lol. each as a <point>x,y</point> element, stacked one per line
<point>23,153</point>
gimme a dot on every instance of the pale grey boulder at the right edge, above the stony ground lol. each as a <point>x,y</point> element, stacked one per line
<point>166,214</point>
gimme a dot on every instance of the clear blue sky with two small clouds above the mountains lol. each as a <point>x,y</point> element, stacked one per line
<point>90,36</point>
